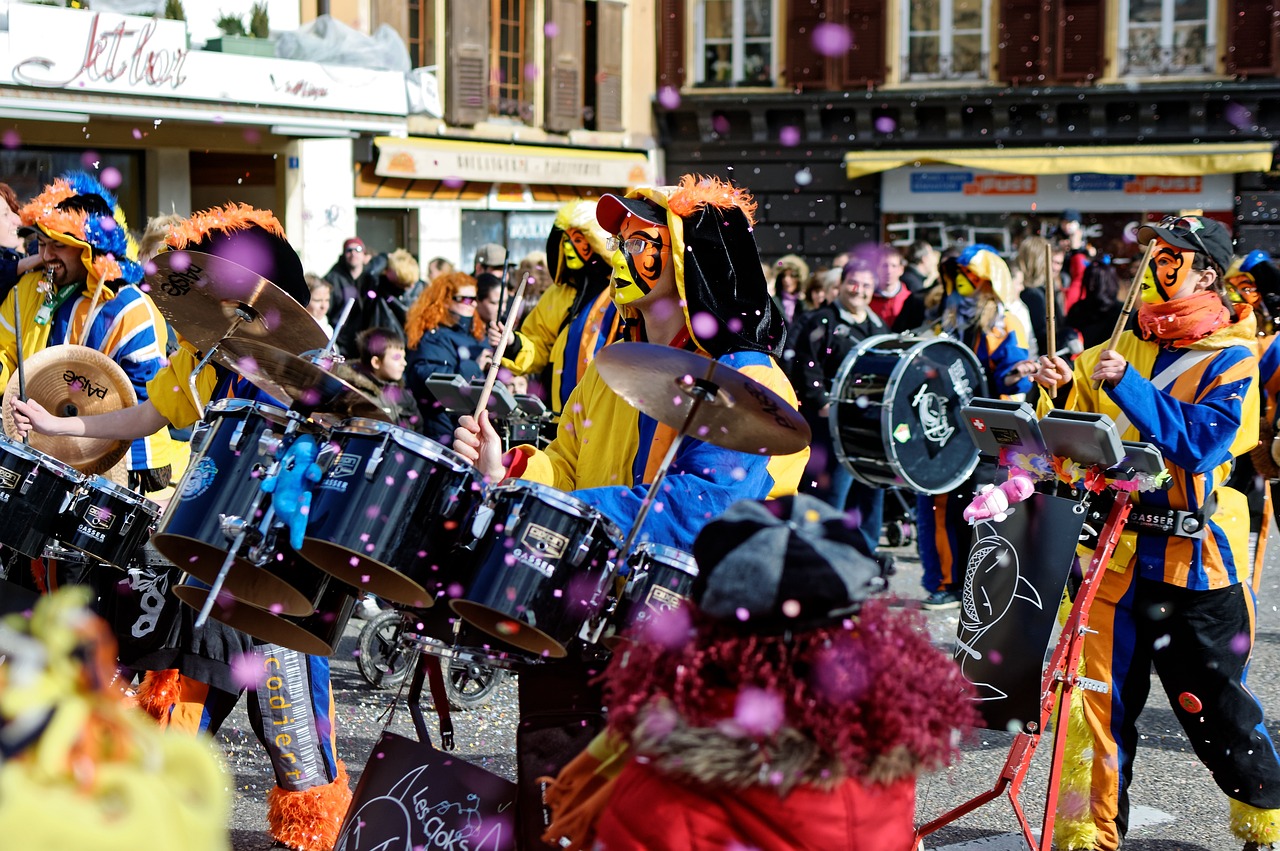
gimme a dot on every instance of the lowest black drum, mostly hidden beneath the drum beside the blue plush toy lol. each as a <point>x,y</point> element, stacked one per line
<point>317,634</point>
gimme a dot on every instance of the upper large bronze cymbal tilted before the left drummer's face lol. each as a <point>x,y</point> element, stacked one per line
<point>203,295</point>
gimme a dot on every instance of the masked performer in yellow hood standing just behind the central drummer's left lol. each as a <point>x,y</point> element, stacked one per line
<point>577,314</point>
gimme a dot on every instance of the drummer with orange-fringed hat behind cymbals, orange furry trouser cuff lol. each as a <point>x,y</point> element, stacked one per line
<point>191,684</point>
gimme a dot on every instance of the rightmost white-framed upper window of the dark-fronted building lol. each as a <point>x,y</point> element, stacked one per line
<point>1167,36</point>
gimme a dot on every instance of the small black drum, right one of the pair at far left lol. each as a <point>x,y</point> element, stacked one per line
<point>107,521</point>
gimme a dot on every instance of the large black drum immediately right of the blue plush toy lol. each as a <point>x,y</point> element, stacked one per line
<point>388,511</point>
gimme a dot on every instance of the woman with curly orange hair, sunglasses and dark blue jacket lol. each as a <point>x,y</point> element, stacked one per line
<point>442,337</point>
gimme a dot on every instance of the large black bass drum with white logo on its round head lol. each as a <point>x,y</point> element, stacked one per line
<point>895,413</point>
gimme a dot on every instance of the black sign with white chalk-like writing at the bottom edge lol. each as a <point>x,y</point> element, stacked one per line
<point>414,798</point>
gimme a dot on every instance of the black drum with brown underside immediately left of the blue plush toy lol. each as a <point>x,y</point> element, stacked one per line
<point>232,450</point>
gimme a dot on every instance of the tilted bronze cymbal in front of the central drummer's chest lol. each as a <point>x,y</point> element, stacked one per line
<point>743,414</point>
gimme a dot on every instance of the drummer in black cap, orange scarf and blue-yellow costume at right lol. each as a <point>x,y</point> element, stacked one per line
<point>1187,382</point>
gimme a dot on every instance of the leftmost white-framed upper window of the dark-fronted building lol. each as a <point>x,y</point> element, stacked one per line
<point>735,39</point>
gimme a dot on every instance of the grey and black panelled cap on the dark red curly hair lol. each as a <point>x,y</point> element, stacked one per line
<point>794,564</point>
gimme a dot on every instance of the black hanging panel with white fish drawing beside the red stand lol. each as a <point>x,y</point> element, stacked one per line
<point>1014,580</point>
